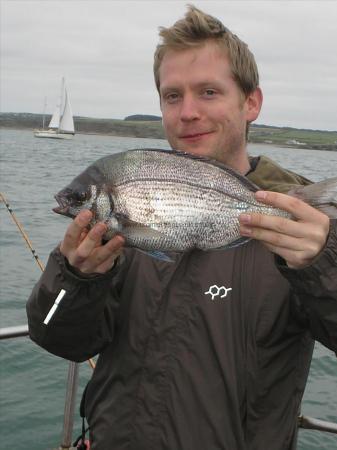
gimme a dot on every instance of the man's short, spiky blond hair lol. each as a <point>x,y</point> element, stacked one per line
<point>195,29</point>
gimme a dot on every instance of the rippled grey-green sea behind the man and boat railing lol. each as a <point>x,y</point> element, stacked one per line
<point>32,381</point>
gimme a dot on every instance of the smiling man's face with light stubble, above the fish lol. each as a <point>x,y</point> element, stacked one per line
<point>203,110</point>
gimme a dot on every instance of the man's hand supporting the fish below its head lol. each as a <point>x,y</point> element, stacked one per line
<point>84,249</point>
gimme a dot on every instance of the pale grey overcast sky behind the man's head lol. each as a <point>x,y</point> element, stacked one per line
<point>105,51</point>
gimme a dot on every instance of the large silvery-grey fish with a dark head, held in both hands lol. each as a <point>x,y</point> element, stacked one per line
<point>170,201</point>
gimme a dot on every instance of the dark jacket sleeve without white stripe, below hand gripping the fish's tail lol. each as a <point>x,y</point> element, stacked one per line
<point>315,292</point>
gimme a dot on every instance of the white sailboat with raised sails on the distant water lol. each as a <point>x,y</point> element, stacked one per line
<point>61,125</point>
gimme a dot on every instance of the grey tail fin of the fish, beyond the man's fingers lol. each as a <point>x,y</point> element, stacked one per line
<point>321,195</point>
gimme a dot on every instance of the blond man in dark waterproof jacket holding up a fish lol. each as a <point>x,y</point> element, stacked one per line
<point>212,351</point>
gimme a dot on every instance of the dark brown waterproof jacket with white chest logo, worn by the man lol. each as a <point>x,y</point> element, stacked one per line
<point>210,352</point>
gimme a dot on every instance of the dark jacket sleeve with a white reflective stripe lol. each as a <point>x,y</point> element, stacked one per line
<point>84,320</point>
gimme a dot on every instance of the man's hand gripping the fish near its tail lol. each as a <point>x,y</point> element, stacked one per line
<point>298,241</point>
